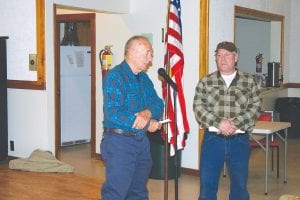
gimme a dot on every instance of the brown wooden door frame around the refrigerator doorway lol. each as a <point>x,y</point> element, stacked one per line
<point>59,19</point>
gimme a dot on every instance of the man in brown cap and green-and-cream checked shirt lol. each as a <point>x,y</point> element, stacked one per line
<point>226,104</point>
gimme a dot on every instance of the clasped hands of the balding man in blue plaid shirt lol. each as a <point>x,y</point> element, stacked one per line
<point>142,119</point>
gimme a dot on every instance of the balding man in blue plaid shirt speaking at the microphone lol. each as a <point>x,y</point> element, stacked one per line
<point>131,107</point>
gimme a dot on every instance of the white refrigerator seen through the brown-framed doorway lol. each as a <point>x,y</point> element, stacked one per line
<point>75,94</point>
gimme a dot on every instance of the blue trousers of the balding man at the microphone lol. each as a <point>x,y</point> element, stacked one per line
<point>128,164</point>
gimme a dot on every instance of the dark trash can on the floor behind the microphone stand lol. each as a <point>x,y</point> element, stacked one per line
<point>157,153</point>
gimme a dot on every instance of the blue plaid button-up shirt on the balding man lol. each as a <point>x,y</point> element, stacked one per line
<point>125,94</point>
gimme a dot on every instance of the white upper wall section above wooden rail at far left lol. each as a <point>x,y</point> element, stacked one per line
<point>14,14</point>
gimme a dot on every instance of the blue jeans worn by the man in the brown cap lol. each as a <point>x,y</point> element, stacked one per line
<point>216,150</point>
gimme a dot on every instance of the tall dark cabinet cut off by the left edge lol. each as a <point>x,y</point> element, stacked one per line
<point>3,100</point>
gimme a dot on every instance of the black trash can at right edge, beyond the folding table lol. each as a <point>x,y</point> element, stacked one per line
<point>289,111</point>
